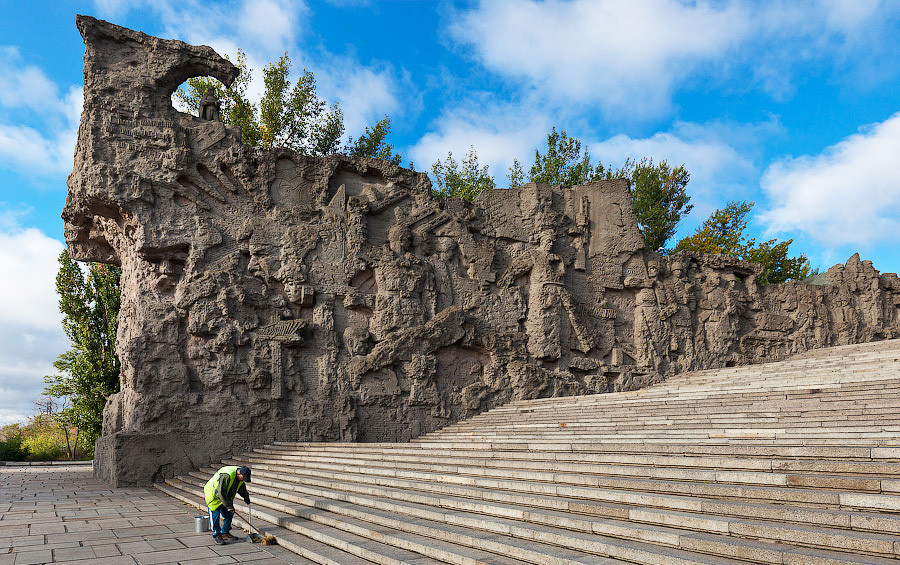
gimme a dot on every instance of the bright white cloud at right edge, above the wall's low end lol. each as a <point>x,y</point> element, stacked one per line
<point>849,194</point>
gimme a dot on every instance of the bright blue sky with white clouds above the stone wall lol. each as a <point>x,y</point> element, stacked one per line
<point>793,105</point>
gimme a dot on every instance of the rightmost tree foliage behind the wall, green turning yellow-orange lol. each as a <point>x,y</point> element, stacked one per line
<point>723,232</point>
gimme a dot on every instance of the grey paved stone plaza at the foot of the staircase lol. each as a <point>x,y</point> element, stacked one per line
<point>62,514</point>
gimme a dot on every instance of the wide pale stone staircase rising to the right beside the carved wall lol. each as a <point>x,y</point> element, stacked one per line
<point>795,462</point>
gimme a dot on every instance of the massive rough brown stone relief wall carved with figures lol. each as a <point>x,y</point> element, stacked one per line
<point>270,296</point>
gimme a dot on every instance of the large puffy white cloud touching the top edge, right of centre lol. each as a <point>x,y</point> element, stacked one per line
<point>622,54</point>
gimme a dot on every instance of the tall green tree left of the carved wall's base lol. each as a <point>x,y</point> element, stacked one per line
<point>89,370</point>
